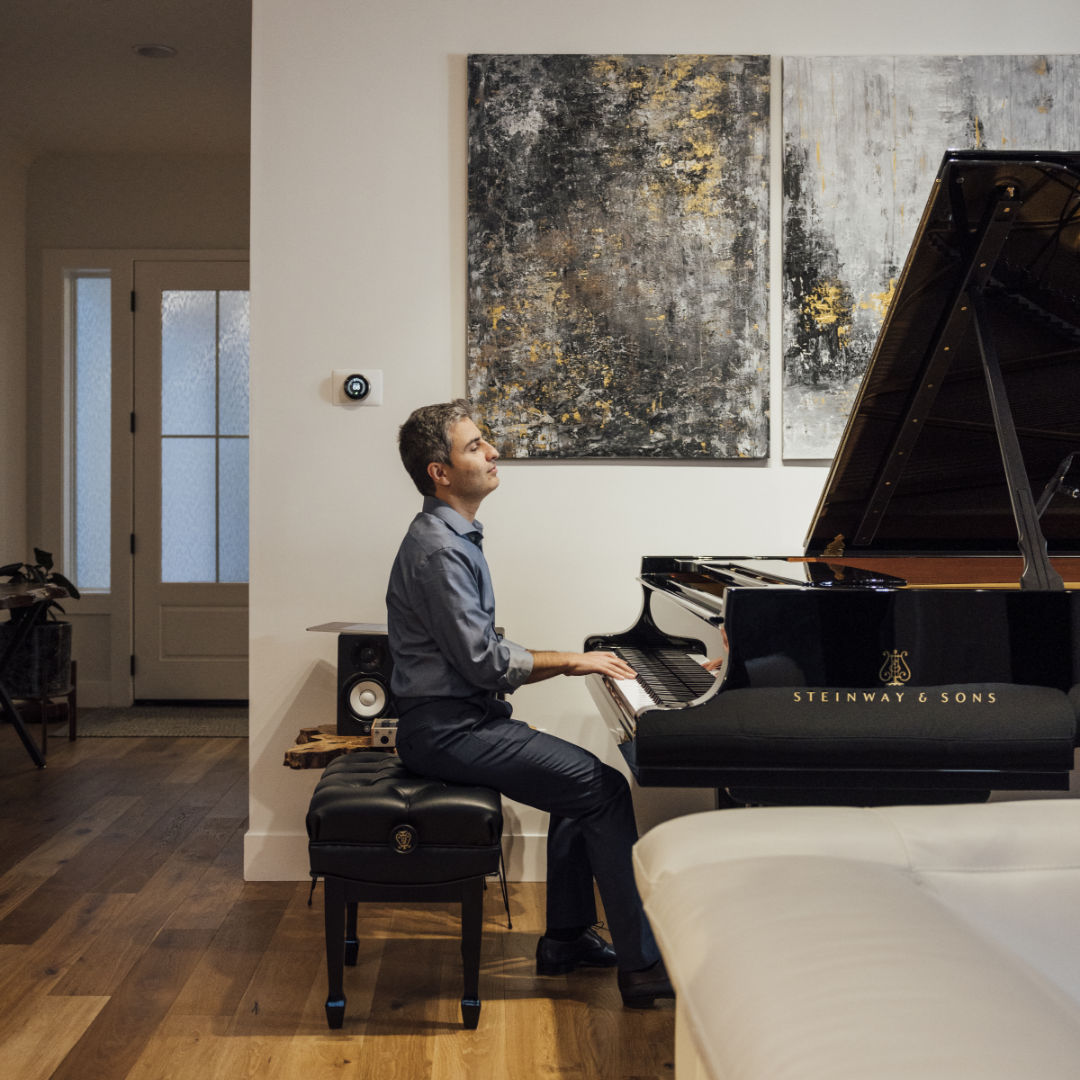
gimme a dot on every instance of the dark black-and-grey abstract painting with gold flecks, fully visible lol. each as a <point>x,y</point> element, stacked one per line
<point>618,255</point>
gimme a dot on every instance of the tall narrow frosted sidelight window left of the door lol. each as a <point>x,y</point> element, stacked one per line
<point>93,428</point>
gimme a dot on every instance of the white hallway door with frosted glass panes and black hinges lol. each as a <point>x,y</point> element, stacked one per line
<point>191,514</point>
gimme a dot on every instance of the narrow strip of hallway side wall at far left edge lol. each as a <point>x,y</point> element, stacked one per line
<point>15,163</point>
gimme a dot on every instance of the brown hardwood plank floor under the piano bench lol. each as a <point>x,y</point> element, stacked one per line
<point>132,948</point>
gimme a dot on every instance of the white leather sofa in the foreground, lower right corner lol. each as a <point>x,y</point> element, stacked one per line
<point>900,943</point>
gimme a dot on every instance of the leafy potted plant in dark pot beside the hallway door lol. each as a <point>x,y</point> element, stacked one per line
<point>43,667</point>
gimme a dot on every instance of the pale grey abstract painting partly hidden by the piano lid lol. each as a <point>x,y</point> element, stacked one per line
<point>863,141</point>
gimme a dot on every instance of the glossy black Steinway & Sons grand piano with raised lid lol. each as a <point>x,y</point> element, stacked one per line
<point>926,645</point>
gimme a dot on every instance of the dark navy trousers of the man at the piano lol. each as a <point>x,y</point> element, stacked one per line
<point>592,829</point>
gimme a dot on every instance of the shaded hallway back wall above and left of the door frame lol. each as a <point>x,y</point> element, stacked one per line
<point>106,202</point>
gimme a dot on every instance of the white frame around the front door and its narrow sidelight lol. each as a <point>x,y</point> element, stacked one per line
<point>53,530</point>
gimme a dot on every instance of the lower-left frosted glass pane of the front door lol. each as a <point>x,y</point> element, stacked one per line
<point>188,510</point>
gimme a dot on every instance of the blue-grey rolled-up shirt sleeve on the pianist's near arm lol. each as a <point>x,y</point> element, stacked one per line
<point>449,598</point>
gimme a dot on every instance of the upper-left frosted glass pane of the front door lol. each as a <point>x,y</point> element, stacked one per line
<point>188,363</point>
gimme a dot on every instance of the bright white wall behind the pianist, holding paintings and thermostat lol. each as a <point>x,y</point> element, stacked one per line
<point>359,258</point>
